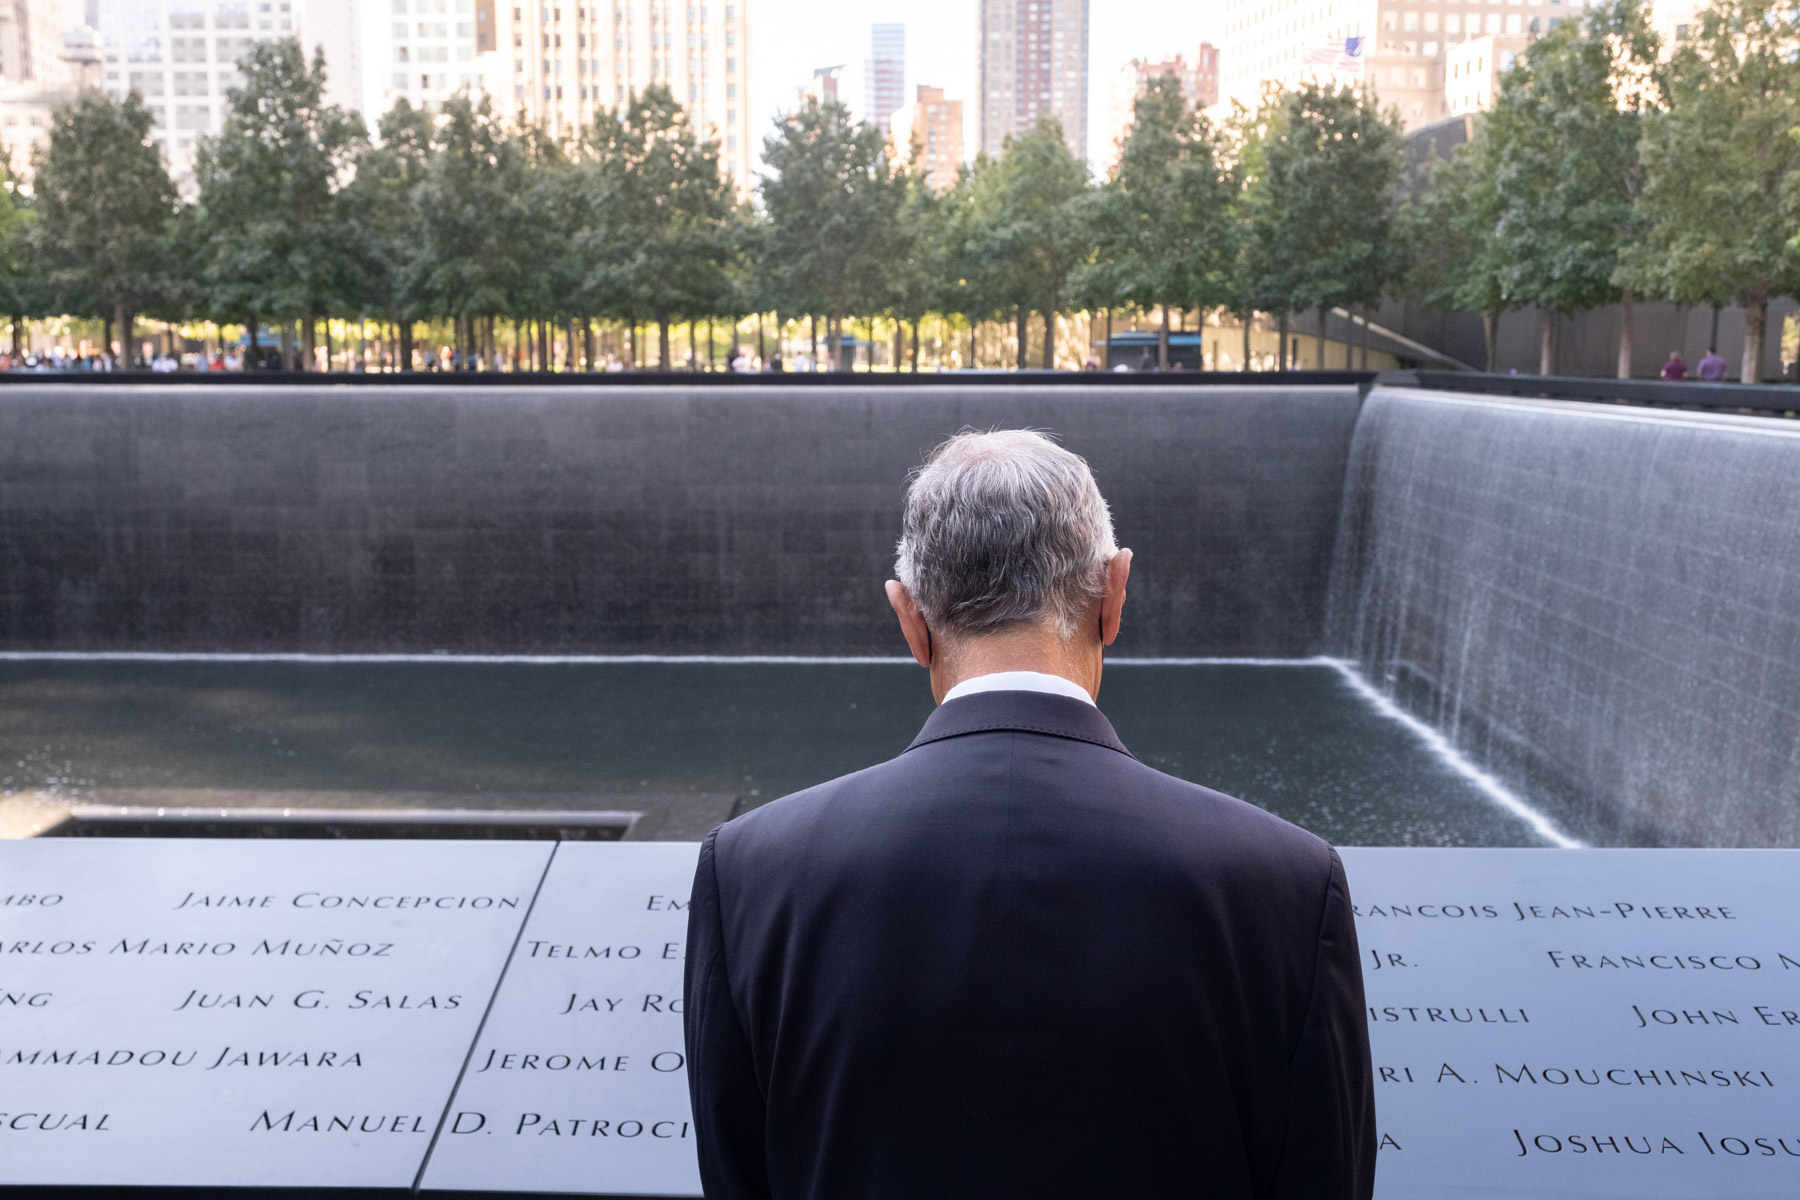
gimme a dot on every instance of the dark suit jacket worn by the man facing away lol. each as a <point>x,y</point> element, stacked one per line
<point>1014,962</point>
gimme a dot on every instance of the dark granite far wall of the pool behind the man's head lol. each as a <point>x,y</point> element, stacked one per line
<point>620,519</point>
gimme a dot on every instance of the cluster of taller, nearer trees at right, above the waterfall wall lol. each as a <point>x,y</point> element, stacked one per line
<point>1612,172</point>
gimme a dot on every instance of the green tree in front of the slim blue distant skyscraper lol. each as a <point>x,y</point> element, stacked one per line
<point>832,202</point>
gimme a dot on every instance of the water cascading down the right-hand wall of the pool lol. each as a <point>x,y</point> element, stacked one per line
<point>1599,600</point>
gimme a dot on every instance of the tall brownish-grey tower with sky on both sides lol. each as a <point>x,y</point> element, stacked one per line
<point>1034,64</point>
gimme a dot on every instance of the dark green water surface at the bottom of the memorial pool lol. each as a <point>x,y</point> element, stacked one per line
<point>1295,739</point>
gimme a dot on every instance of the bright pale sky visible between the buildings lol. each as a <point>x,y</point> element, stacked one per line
<point>789,39</point>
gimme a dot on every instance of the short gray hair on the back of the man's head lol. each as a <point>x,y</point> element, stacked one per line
<point>1002,530</point>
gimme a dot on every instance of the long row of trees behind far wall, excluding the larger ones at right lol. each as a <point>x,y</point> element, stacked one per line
<point>469,219</point>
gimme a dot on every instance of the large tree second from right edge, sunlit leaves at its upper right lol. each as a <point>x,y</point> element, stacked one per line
<point>1565,134</point>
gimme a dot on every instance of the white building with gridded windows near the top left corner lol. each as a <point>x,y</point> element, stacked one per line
<point>183,57</point>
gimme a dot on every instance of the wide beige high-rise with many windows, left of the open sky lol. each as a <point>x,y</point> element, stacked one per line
<point>575,58</point>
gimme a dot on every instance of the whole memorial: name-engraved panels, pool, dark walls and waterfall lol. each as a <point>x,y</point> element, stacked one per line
<point>359,742</point>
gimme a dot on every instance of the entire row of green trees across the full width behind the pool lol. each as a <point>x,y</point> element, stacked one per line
<point>1606,174</point>
